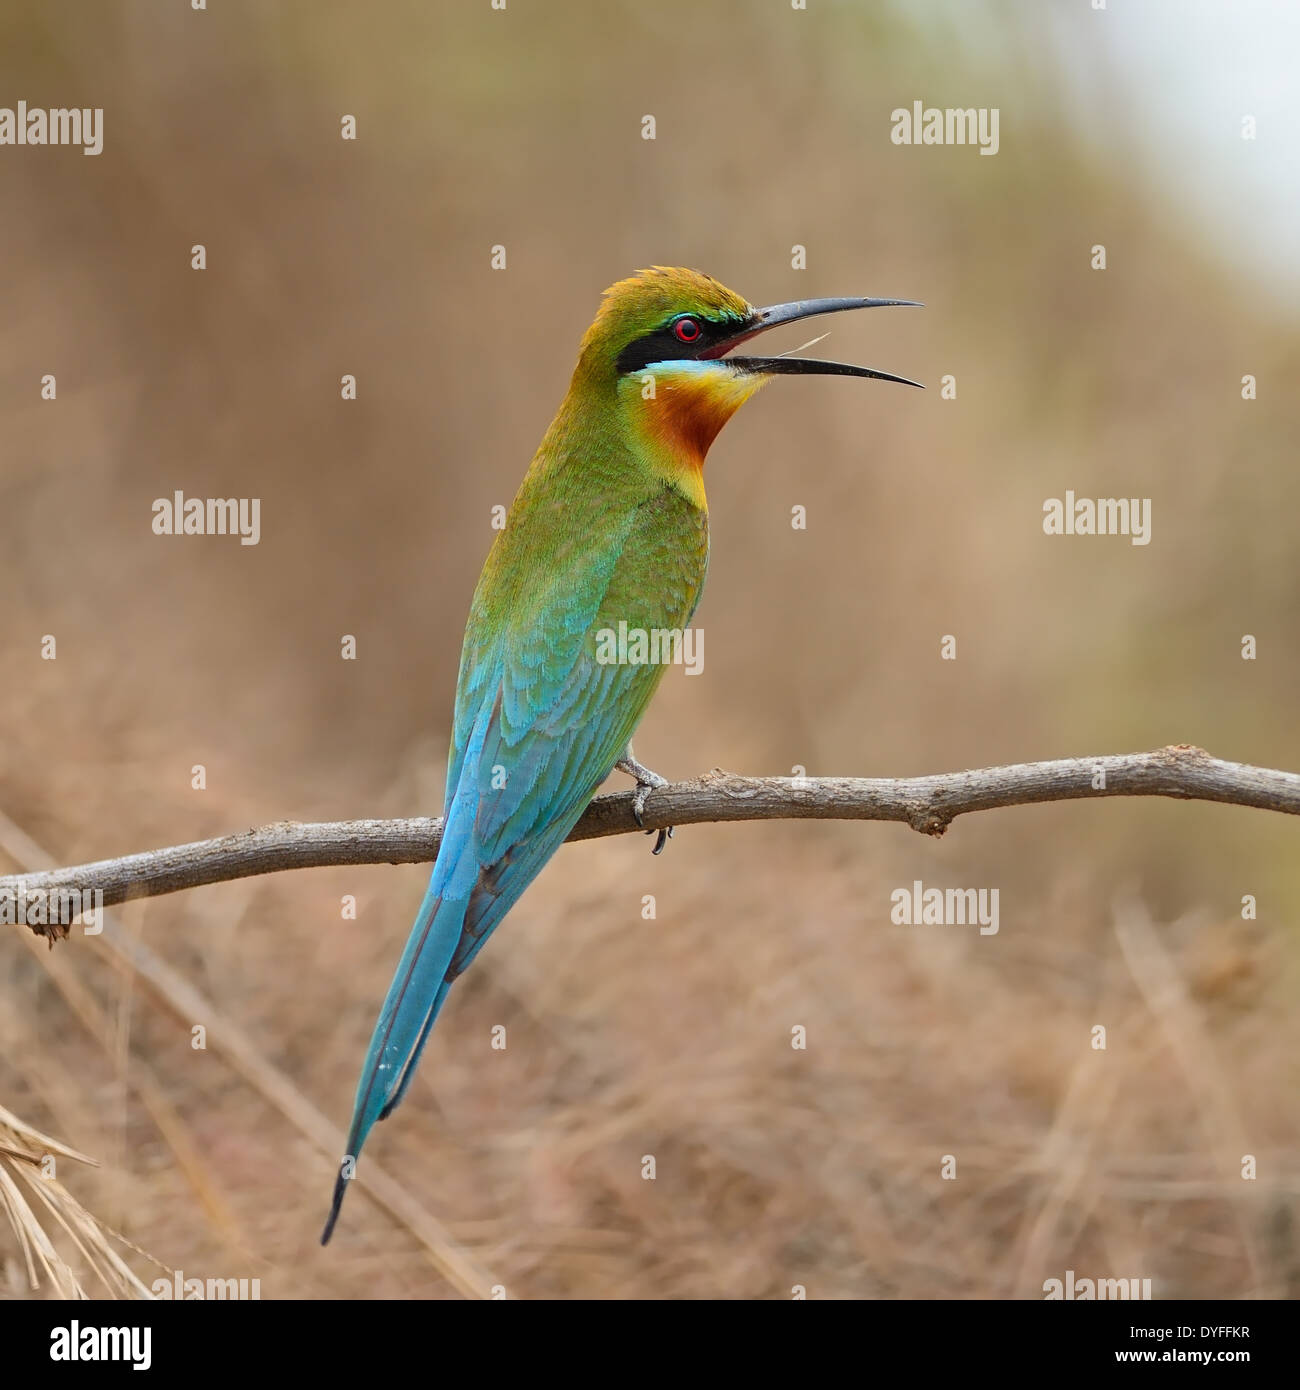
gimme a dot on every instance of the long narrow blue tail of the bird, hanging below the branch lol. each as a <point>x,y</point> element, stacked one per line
<point>414,1001</point>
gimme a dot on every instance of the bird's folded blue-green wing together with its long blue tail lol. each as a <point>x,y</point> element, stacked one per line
<point>540,725</point>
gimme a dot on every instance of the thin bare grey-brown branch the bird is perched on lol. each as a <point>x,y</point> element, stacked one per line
<point>927,804</point>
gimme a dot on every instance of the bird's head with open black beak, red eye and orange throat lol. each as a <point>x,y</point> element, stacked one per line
<point>664,341</point>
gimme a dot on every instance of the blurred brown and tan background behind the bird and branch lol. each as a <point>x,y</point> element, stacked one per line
<point>671,1038</point>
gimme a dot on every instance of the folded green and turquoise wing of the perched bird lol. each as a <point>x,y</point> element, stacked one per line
<point>553,718</point>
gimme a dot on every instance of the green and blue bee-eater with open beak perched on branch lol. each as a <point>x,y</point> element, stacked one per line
<point>610,526</point>
